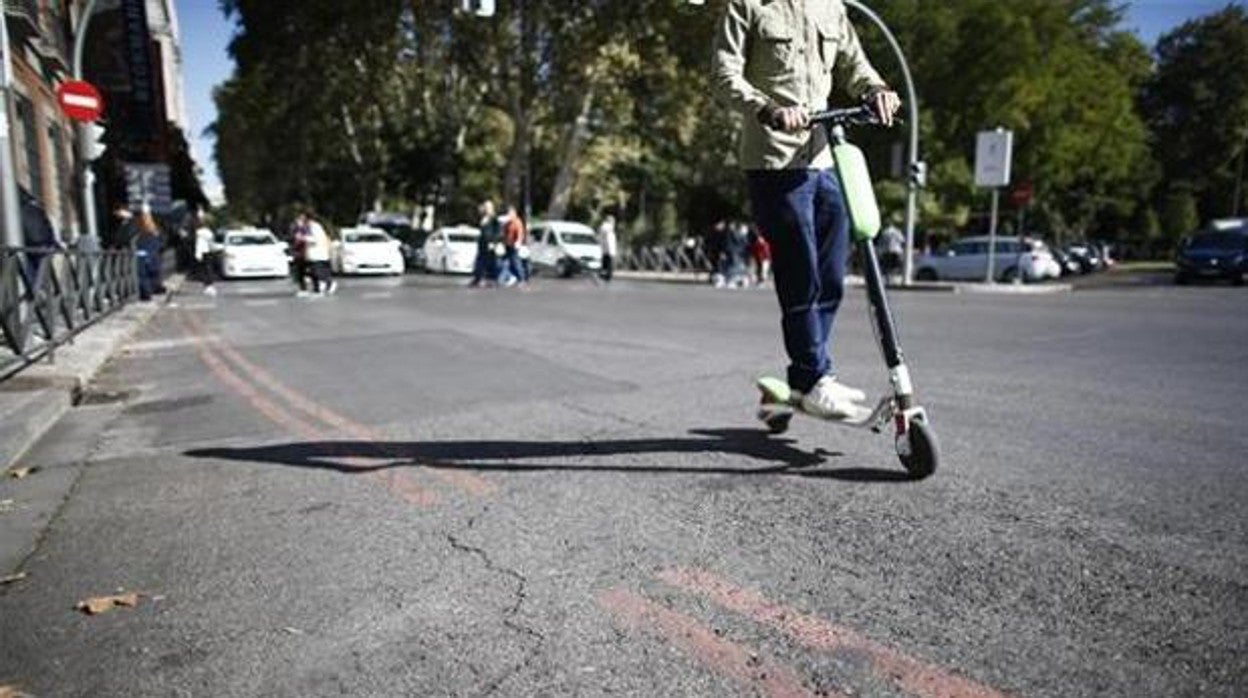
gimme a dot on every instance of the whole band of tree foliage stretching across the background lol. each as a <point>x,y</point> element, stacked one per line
<point>595,106</point>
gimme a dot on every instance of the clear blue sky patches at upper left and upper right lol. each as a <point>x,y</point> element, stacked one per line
<point>207,63</point>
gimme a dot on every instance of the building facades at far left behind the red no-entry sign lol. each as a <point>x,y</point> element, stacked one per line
<point>133,56</point>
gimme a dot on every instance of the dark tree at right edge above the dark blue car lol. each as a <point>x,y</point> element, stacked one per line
<point>1197,106</point>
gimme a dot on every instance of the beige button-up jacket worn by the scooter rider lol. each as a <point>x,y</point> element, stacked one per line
<point>787,53</point>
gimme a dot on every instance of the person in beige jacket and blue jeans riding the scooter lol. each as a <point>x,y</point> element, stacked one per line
<point>776,63</point>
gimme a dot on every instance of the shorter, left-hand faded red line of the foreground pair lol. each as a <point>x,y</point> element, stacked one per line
<point>692,637</point>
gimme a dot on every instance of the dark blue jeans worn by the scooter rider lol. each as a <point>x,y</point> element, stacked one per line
<point>802,214</point>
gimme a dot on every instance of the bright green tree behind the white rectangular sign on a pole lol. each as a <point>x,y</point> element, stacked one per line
<point>1059,73</point>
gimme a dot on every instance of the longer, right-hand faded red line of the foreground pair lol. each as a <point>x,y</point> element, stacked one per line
<point>914,676</point>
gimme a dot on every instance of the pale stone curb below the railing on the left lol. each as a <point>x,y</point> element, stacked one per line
<point>36,399</point>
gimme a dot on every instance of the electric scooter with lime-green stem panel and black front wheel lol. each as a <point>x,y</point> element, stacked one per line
<point>914,438</point>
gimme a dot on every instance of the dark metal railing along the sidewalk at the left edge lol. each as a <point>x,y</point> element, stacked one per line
<point>49,295</point>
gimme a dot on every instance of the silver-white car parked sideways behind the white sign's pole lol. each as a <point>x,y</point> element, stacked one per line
<point>968,260</point>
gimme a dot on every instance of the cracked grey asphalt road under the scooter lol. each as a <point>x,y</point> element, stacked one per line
<point>412,489</point>
